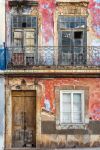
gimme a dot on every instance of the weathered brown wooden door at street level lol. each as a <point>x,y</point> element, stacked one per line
<point>24,118</point>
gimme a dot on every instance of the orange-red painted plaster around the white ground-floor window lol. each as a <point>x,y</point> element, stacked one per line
<point>93,84</point>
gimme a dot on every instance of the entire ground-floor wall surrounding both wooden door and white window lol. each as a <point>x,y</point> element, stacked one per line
<point>47,133</point>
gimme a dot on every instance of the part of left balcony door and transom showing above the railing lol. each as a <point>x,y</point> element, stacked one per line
<point>24,31</point>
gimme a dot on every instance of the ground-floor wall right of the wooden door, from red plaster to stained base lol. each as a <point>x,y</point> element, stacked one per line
<point>87,136</point>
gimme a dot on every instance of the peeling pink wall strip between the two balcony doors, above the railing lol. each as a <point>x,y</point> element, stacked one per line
<point>47,8</point>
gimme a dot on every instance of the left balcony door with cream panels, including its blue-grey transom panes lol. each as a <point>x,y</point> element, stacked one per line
<point>24,39</point>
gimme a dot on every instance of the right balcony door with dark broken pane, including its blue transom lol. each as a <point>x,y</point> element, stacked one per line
<point>72,39</point>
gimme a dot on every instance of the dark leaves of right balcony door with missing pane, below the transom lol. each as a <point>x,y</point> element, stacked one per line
<point>72,51</point>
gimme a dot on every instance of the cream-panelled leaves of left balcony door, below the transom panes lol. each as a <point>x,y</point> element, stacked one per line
<point>24,43</point>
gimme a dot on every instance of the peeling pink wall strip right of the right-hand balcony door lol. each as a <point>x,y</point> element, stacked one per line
<point>94,17</point>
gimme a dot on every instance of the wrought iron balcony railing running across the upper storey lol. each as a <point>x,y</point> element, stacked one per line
<point>28,57</point>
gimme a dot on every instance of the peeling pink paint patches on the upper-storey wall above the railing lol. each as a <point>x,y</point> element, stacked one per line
<point>47,8</point>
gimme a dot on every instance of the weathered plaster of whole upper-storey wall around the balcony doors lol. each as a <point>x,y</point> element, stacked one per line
<point>48,31</point>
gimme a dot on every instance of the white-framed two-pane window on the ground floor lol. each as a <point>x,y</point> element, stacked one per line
<point>71,107</point>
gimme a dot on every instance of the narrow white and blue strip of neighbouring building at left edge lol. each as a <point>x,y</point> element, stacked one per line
<point>2,80</point>
